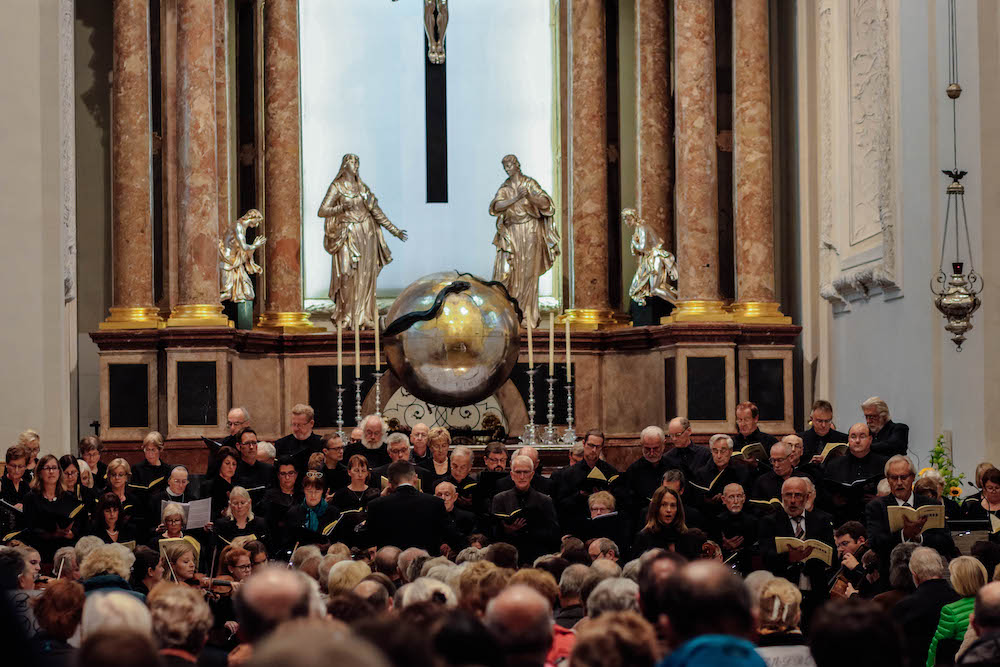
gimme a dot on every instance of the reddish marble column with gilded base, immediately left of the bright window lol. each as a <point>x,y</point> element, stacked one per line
<point>282,170</point>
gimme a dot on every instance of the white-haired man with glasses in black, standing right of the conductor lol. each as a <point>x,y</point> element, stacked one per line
<point>537,532</point>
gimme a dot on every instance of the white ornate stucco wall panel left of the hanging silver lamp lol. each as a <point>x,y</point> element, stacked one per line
<point>858,150</point>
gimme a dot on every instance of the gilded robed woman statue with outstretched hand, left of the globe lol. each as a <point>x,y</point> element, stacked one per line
<point>353,236</point>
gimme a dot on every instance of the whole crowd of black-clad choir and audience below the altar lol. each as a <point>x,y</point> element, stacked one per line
<point>390,550</point>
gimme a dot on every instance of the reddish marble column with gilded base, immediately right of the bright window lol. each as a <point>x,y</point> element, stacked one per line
<point>589,157</point>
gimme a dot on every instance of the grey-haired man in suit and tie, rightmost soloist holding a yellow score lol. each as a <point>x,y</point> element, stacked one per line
<point>901,473</point>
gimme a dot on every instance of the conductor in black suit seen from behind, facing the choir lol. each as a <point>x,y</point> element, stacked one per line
<point>405,517</point>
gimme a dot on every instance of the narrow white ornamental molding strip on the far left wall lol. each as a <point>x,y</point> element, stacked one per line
<point>67,146</point>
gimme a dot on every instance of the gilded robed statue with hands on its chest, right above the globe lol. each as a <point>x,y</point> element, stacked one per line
<point>527,241</point>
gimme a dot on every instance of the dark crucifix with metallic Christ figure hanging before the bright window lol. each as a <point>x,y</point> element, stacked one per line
<point>436,101</point>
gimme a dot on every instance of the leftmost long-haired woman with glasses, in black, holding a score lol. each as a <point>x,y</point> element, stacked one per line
<point>51,514</point>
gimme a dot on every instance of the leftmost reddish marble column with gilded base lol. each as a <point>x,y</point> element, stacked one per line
<point>131,159</point>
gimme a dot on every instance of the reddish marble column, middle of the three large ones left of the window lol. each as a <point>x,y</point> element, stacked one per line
<point>197,170</point>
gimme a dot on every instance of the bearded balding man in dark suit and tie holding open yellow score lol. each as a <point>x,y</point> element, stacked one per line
<point>809,575</point>
